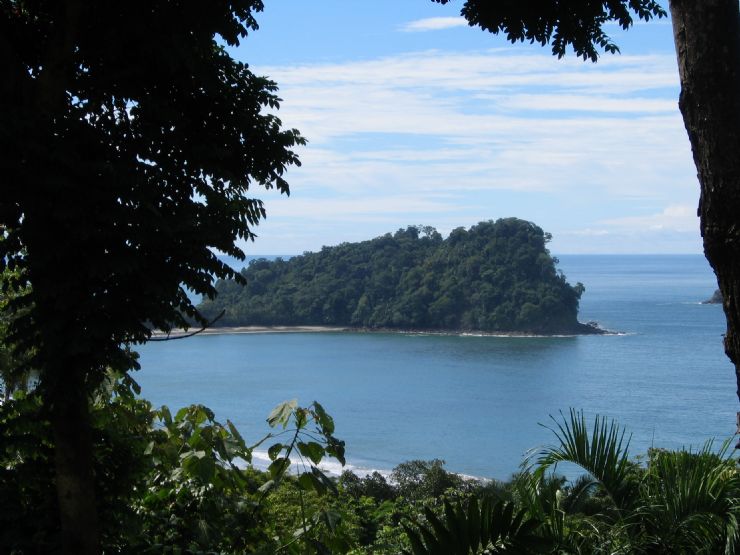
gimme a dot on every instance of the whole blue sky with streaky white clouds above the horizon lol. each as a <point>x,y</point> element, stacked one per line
<point>414,118</point>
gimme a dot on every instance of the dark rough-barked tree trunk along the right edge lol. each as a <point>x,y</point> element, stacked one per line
<point>707,37</point>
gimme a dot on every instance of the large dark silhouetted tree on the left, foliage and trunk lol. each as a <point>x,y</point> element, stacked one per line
<point>129,142</point>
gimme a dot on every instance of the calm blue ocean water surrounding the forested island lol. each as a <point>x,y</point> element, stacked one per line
<point>479,402</point>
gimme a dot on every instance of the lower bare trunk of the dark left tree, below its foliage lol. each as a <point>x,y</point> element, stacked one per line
<point>70,421</point>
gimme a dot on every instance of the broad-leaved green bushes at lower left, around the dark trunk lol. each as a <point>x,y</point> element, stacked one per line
<point>166,481</point>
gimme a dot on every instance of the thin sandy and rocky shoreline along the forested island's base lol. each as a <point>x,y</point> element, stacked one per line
<point>588,329</point>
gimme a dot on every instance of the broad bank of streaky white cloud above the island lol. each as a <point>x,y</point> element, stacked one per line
<point>447,139</point>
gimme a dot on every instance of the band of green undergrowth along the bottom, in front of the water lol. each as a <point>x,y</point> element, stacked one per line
<point>178,483</point>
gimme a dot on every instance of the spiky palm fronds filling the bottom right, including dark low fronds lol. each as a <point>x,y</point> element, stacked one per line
<point>678,502</point>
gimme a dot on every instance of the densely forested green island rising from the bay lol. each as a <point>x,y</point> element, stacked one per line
<point>494,277</point>
